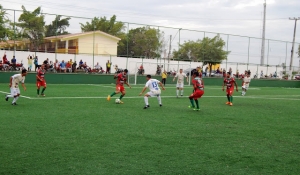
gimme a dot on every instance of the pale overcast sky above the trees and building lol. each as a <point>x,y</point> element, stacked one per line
<point>235,17</point>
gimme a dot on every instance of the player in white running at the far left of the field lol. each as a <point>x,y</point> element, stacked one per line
<point>14,86</point>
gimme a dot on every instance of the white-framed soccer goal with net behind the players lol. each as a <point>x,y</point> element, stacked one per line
<point>155,70</point>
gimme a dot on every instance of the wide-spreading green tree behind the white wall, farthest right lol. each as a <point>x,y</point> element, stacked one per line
<point>208,50</point>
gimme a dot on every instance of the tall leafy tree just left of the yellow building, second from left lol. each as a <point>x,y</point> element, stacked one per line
<point>32,26</point>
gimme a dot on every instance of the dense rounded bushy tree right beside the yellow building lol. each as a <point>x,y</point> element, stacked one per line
<point>144,41</point>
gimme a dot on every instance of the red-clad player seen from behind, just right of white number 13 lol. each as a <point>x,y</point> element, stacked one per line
<point>198,90</point>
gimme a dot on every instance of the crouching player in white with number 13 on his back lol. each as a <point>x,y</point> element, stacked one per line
<point>152,84</point>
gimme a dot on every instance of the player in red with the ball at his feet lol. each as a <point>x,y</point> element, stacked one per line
<point>121,80</point>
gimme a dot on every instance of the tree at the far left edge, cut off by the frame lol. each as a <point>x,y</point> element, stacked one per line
<point>5,28</point>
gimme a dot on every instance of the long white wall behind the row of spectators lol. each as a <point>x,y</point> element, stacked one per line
<point>132,64</point>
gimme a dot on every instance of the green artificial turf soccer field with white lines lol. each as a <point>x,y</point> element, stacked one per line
<point>75,130</point>
